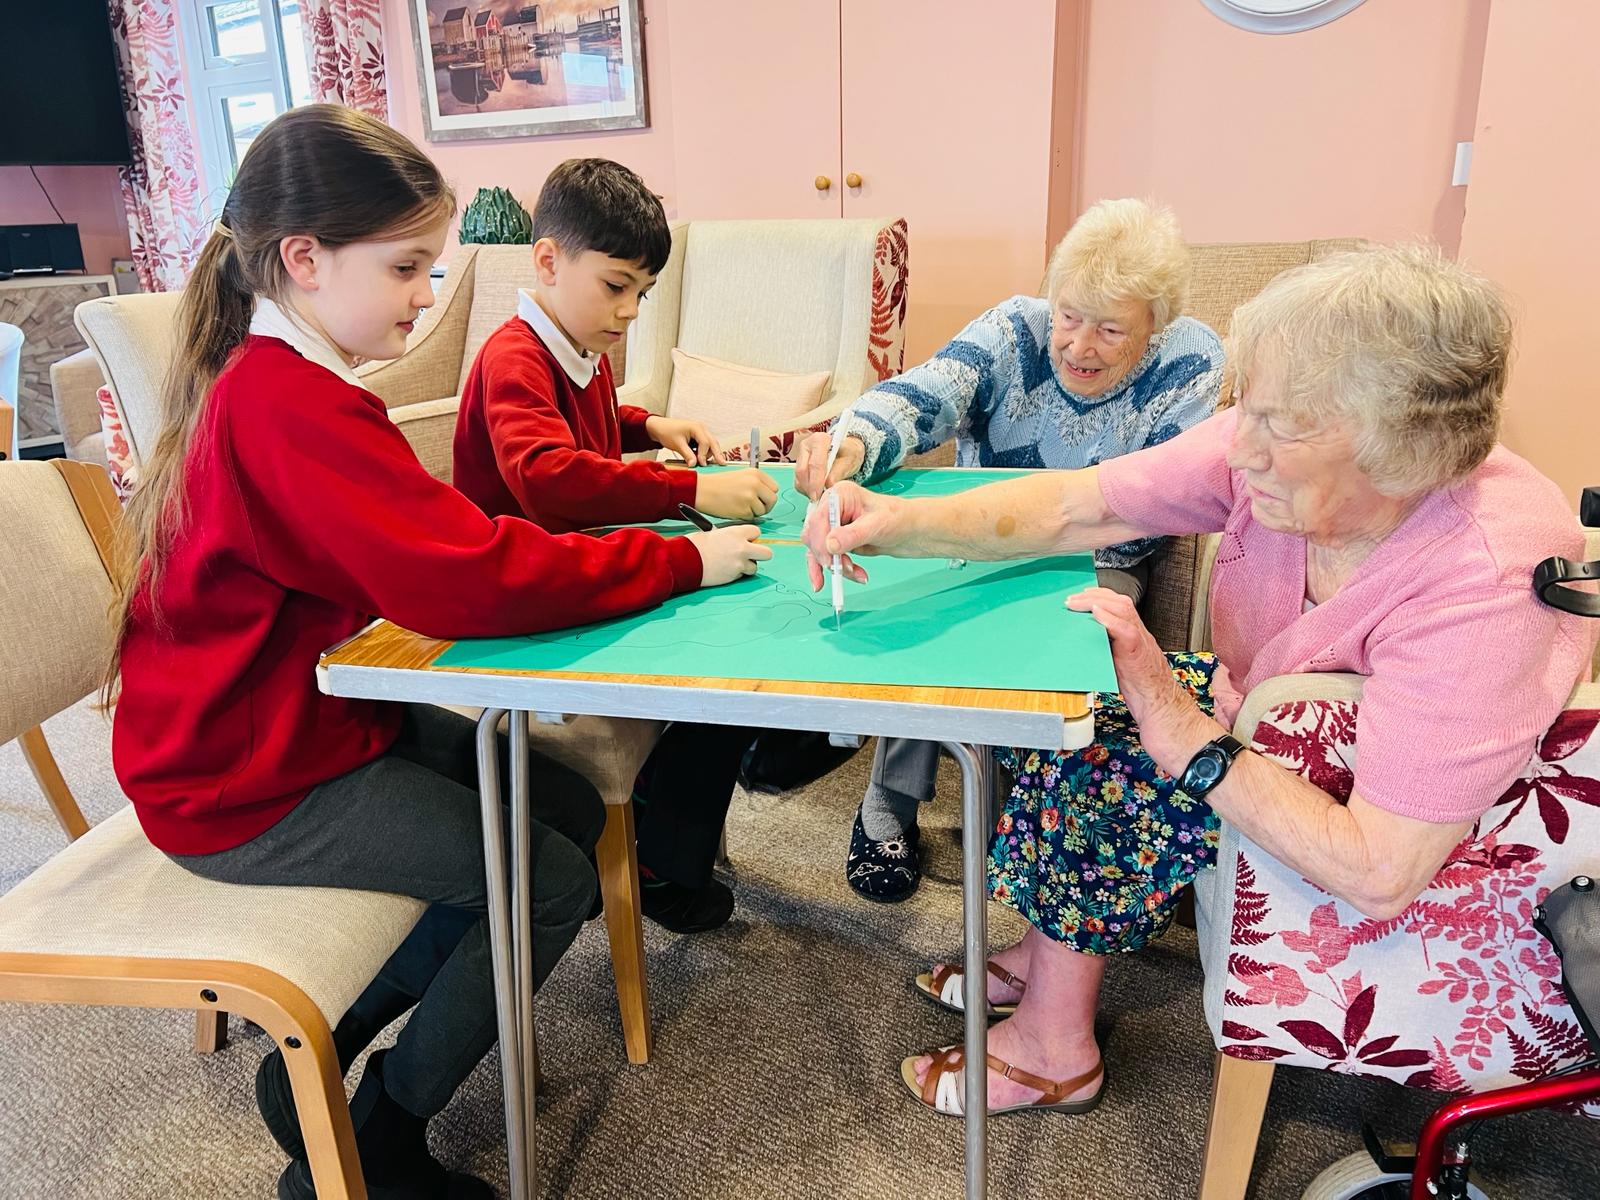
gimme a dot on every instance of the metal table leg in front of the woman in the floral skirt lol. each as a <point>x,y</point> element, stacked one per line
<point>977,785</point>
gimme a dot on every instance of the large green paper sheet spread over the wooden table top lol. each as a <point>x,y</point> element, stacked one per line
<point>918,623</point>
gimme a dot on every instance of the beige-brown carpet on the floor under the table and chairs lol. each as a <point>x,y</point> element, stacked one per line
<point>775,1071</point>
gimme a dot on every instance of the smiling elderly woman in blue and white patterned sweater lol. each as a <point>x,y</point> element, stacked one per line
<point>1100,367</point>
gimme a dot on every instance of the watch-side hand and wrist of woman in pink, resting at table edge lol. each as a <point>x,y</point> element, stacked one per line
<point>1172,726</point>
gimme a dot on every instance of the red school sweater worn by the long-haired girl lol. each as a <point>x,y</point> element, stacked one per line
<point>308,516</point>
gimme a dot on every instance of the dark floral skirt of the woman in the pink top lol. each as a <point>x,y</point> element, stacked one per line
<point>1095,846</point>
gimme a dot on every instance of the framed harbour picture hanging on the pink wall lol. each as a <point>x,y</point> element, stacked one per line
<point>511,70</point>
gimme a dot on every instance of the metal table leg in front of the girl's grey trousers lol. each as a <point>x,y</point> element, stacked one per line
<point>503,950</point>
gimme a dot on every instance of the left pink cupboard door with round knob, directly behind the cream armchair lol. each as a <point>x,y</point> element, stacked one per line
<point>756,108</point>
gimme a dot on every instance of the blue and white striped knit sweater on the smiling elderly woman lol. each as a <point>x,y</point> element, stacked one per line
<point>996,391</point>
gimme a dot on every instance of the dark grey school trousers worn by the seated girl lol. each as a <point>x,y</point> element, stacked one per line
<point>410,823</point>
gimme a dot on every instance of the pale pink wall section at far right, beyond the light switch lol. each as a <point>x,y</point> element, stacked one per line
<point>1530,226</point>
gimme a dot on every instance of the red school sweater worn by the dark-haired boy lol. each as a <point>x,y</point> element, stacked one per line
<point>532,442</point>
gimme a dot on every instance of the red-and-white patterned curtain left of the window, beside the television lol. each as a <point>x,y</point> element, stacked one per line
<point>162,190</point>
